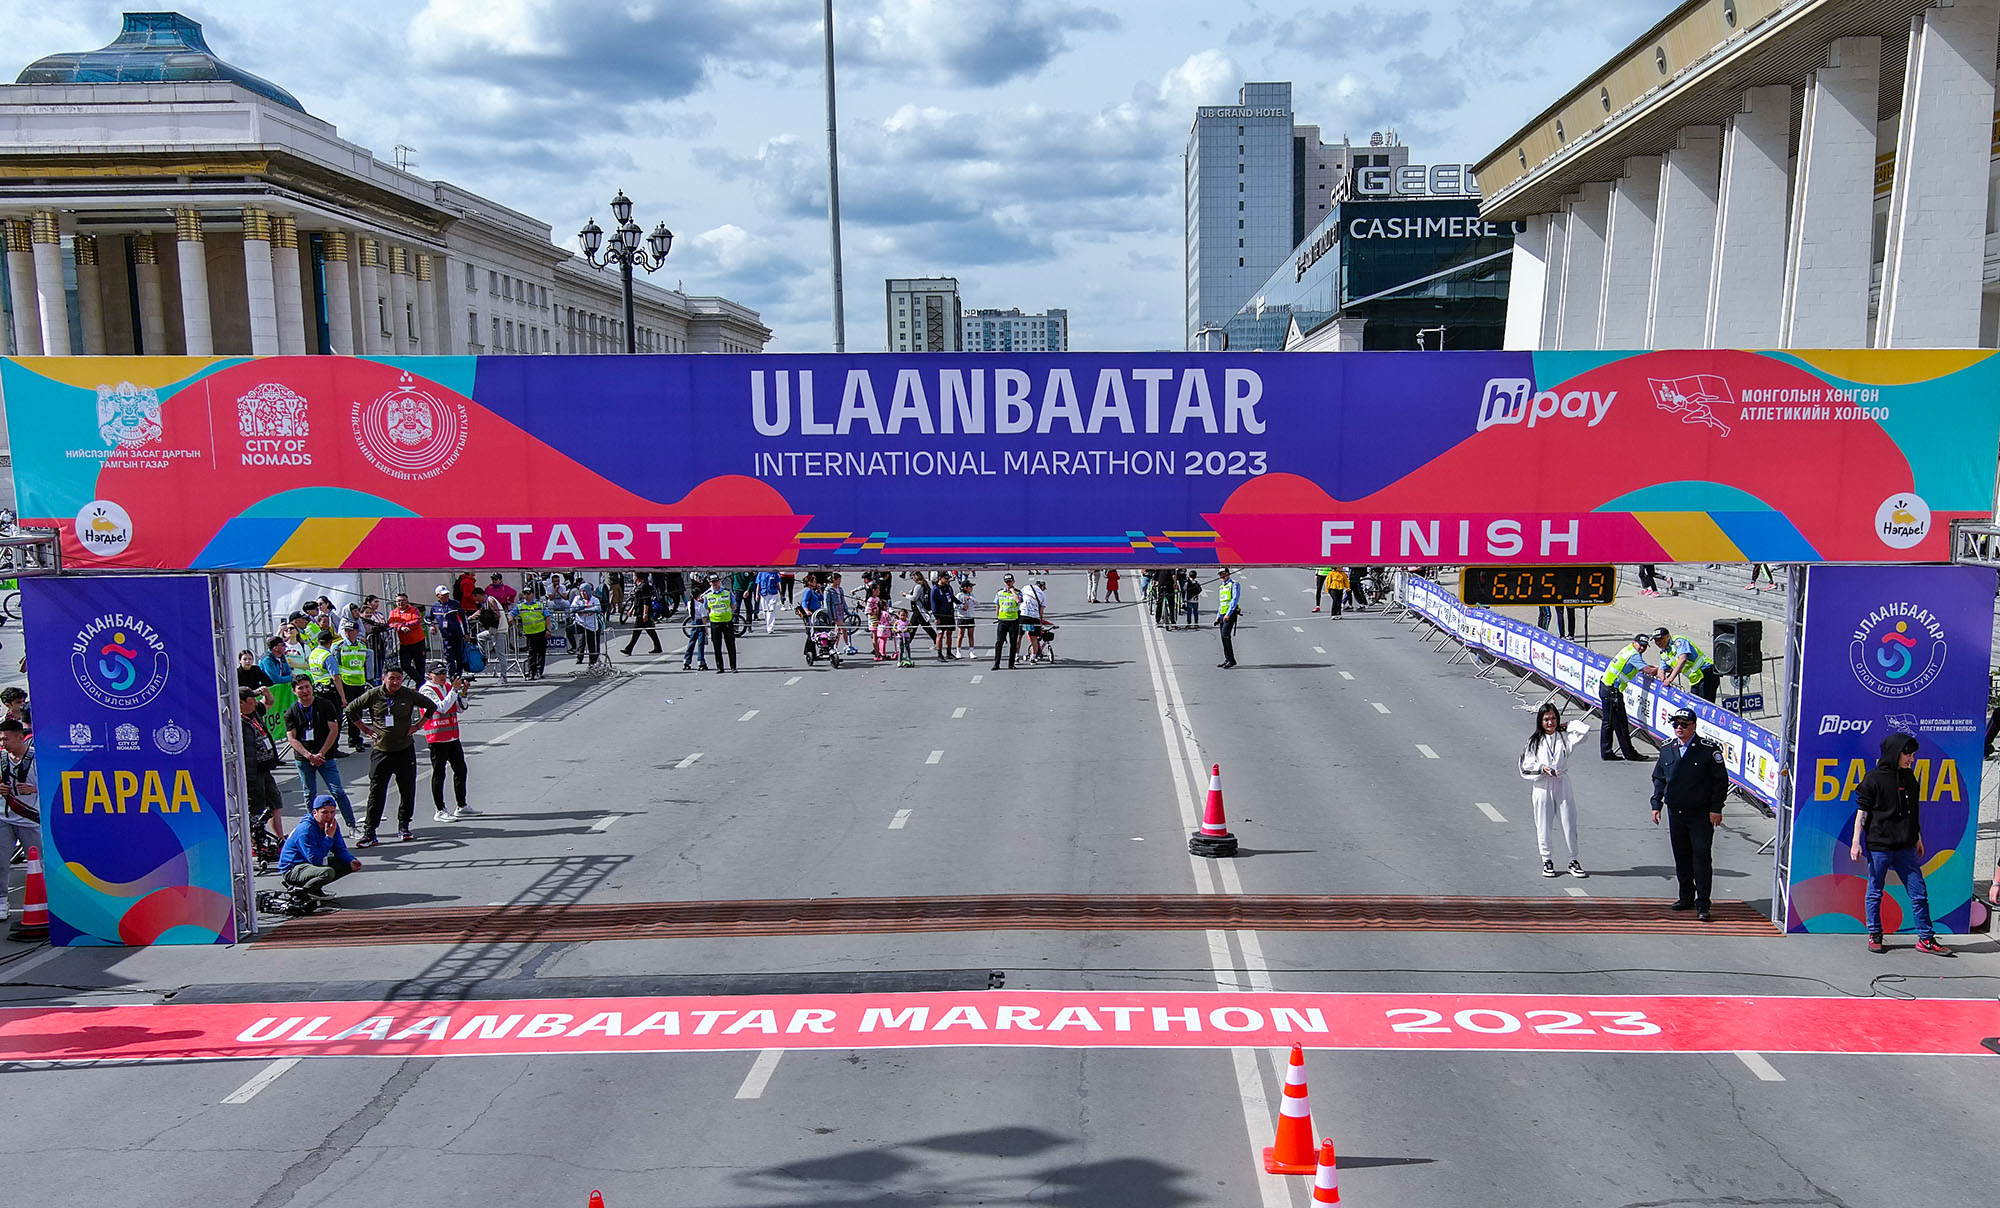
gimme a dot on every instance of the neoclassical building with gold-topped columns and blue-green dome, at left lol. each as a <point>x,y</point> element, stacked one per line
<point>159,201</point>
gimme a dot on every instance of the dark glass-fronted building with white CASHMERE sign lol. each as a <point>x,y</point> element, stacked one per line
<point>1387,275</point>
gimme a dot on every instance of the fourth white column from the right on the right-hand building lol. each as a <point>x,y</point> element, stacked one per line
<point>1685,241</point>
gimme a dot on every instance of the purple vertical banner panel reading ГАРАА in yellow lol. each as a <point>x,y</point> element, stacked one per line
<point>129,761</point>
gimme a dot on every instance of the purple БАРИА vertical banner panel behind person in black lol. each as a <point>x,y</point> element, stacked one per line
<point>1889,649</point>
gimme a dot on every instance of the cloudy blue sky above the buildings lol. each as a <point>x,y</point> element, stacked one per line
<point>1027,147</point>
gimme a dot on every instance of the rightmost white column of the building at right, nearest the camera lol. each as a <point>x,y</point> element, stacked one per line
<point>1937,205</point>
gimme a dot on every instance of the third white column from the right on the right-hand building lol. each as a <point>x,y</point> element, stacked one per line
<point>1747,283</point>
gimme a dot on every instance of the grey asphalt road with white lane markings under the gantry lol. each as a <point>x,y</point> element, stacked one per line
<point>1355,761</point>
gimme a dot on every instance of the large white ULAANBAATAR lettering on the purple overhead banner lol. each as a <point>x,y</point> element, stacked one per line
<point>1005,401</point>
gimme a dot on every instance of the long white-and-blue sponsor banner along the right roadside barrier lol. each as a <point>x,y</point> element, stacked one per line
<point>1749,751</point>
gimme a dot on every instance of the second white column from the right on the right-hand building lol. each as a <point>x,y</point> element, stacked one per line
<point>1827,263</point>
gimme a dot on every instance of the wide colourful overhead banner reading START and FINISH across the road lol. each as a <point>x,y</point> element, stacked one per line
<point>1053,459</point>
